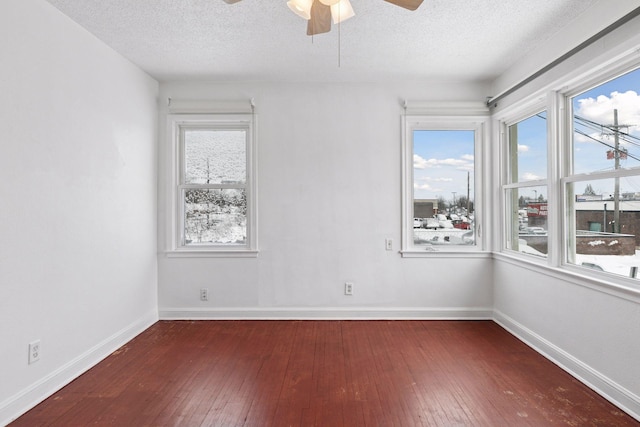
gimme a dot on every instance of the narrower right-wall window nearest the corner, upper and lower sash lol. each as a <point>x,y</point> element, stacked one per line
<point>525,193</point>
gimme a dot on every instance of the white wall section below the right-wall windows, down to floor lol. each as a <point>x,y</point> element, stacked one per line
<point>586,328</point>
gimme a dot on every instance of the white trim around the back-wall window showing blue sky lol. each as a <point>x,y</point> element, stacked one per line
<point>450,116</point>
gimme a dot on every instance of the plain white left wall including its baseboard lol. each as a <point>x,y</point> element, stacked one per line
<point>78,266</point>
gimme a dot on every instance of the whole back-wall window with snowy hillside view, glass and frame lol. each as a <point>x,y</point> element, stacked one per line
<point>213,188</point>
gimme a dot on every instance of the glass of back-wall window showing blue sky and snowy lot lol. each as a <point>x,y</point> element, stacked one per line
<point>443,193</point>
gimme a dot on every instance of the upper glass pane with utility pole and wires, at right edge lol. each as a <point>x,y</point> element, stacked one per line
<point>606,132</point>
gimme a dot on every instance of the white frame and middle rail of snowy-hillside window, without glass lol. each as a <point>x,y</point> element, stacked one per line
<point>177,125</point>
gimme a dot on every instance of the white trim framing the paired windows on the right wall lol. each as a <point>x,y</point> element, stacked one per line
<point>556,96</point>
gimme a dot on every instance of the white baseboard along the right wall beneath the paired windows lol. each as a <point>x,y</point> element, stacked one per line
<point>601,384</point>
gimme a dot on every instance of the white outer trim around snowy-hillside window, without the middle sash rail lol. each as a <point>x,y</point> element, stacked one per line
<point>174,247</point>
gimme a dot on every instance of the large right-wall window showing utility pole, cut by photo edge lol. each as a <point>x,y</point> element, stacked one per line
<point>602,186</point>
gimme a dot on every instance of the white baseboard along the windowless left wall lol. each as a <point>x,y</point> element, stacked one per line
<point>25,399</point>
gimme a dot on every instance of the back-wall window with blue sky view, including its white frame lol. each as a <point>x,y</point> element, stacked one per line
<point>440,208</point>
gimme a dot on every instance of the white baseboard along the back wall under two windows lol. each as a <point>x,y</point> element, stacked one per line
<point>337,313</point>
